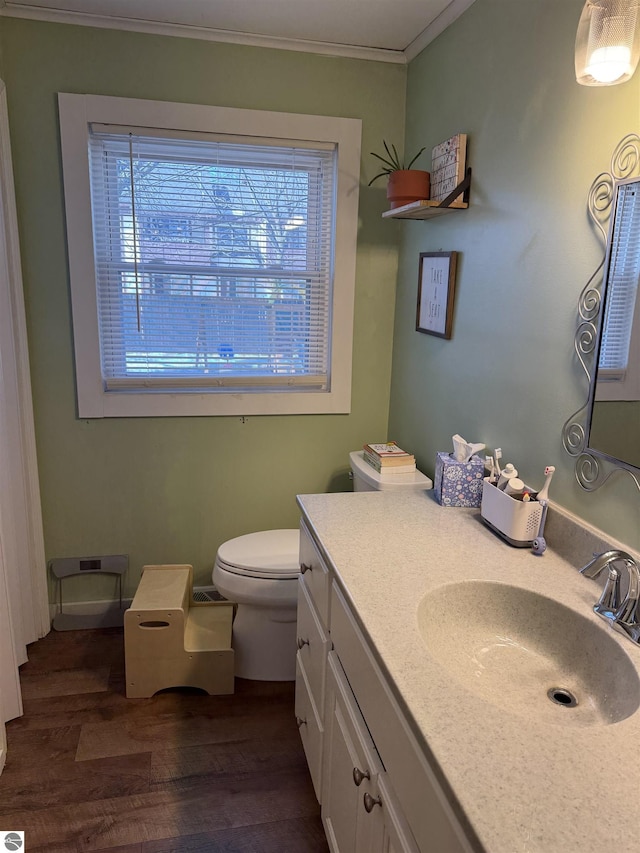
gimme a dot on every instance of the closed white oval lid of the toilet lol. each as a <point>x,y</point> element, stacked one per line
<point>270,554</point>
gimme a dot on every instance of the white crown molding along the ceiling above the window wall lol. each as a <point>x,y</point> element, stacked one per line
<point>17,10</point>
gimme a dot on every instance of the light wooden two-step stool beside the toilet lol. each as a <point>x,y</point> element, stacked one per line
<point>171,640</point>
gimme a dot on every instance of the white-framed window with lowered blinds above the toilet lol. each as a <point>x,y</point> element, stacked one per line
<point>211,273</point>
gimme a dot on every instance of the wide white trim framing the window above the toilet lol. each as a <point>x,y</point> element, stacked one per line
<point>77,113</point>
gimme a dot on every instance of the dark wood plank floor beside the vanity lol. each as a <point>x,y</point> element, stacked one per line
<point>90,770</point>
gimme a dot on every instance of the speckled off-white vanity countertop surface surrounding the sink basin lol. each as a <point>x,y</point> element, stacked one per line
<point>524,785</point>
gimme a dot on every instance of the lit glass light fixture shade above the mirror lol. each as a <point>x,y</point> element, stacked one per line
<point>607,42</point>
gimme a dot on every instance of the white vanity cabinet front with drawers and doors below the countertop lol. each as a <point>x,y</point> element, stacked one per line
<point>377,789</point>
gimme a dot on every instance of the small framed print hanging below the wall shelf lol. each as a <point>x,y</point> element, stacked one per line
<point>436,287</point>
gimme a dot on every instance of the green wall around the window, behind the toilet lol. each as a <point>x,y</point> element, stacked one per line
<point>172,489</point>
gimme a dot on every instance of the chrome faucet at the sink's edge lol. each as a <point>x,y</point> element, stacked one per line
<point>622,615</point>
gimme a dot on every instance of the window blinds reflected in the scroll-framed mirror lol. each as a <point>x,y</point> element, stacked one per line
<point>622,285</point>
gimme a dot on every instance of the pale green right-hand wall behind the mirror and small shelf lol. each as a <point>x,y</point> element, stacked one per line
<point>503,73</point>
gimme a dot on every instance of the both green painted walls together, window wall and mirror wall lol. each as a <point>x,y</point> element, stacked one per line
<point>171,490</point>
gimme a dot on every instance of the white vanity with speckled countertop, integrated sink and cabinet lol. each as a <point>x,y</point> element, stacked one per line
<point>423,738</point>
